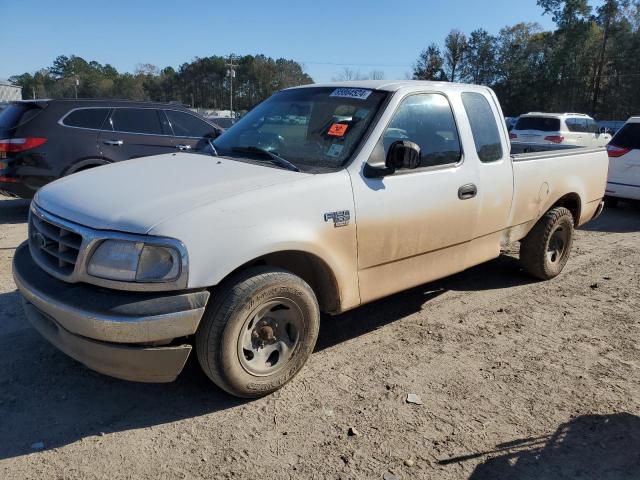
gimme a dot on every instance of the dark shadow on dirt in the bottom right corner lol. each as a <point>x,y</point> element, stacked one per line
<point>589,447</point>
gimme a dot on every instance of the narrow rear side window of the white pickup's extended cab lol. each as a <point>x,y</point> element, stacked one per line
<point>484,128</point>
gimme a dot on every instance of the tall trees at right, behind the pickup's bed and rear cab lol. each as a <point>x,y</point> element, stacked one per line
<point>590,63</point>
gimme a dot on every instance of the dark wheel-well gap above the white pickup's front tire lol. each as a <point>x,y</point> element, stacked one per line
<point>311,269</point>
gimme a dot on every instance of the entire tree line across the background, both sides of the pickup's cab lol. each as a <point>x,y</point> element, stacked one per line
<point>589,63</point>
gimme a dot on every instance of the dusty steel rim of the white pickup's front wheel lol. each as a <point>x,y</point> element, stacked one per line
<point>269,337</point>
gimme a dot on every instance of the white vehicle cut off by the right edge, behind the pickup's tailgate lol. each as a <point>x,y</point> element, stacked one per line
<point>624,163</point>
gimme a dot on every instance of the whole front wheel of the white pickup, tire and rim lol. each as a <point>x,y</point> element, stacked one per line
<point>258,332</point>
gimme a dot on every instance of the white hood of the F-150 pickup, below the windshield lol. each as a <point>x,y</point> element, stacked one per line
<point>135,195</point>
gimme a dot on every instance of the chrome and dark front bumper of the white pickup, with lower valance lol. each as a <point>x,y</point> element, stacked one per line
<point>113,332</point>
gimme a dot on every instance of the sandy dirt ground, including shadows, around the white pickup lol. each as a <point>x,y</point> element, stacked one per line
<point>518,380</point>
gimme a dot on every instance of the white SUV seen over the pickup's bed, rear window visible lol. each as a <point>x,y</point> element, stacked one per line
<point>559,128</point>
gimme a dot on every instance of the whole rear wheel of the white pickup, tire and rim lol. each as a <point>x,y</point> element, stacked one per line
<point>545,250</point>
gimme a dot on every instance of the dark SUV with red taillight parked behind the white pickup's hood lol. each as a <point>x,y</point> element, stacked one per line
<point>43,140</point>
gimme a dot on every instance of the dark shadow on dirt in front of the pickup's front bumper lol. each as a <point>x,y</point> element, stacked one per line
<point>47,397</point>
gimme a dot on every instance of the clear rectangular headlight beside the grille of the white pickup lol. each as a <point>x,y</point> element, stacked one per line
<point>128,261</point>
